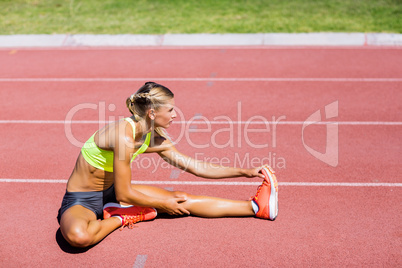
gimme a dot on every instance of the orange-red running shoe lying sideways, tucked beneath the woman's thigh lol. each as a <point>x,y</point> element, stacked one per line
<point>129,214</point>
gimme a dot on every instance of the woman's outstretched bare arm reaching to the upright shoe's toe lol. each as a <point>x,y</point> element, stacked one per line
<point>204,169</point>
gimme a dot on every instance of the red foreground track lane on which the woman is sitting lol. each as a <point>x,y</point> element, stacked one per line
<point>338,227</point>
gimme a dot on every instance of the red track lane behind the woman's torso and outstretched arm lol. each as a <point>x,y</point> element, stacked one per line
<point>26,157</point>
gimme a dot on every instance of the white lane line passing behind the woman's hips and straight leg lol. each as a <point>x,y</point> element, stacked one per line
<point>226,183</point>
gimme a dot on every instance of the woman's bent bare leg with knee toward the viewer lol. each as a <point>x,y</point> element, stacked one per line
<point>80,227</point>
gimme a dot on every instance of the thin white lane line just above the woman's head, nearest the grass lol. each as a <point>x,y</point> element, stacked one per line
<point>202,79</point>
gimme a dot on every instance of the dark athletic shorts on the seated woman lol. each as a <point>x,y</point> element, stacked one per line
<point>93,201</point>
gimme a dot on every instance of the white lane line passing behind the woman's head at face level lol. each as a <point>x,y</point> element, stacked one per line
<point>351,123</point>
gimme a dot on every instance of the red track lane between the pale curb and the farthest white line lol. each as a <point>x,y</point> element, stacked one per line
<point>219,62</point>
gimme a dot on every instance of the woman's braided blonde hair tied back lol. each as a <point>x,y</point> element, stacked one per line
<point>150,96</point>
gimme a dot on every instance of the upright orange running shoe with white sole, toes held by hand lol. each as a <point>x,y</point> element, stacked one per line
<point>267,195</point>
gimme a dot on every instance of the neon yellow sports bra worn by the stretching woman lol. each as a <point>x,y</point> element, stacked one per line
<point>103,159</point>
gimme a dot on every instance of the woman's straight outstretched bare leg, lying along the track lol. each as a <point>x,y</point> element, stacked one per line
<point>203,206</point>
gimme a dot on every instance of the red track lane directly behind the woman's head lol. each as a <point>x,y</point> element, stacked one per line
<point>237,101</point>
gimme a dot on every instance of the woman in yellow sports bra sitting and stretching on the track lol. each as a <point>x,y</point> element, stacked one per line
<point>100,197</point>
